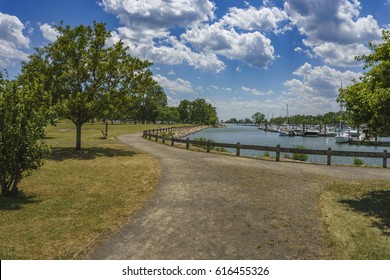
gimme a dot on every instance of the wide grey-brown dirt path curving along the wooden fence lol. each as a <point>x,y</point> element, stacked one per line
<point>210,206</point>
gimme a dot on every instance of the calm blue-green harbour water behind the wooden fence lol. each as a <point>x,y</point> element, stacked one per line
<point>252,136</point>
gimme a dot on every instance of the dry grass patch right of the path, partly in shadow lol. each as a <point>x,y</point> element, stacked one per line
<point>357,217</point>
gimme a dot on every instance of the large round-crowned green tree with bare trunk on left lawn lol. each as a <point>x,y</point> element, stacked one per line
<point>86,78</point>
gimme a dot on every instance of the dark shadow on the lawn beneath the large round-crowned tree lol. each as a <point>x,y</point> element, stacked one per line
<point>64,153</point>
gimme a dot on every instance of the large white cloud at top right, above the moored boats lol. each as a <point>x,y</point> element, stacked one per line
<point>334,30</point>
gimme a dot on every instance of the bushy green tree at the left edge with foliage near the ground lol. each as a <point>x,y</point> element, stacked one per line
<point>22,130</point>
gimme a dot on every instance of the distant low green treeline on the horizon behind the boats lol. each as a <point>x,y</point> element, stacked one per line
<point>330,118</point>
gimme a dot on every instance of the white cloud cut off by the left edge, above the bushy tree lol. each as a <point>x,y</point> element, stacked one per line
<point>12,40</point>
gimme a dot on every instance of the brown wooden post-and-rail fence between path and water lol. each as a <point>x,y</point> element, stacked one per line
<point>329,153</point>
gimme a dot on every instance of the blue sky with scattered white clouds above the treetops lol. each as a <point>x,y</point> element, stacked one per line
<point>241,56</point>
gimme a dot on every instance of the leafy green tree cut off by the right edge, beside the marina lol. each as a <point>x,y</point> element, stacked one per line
<point>367,101</point>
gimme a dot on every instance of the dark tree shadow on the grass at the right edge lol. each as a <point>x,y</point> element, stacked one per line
<point>375,204</point>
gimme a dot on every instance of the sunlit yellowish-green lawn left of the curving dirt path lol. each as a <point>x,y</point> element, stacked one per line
<point>78,197</point>
